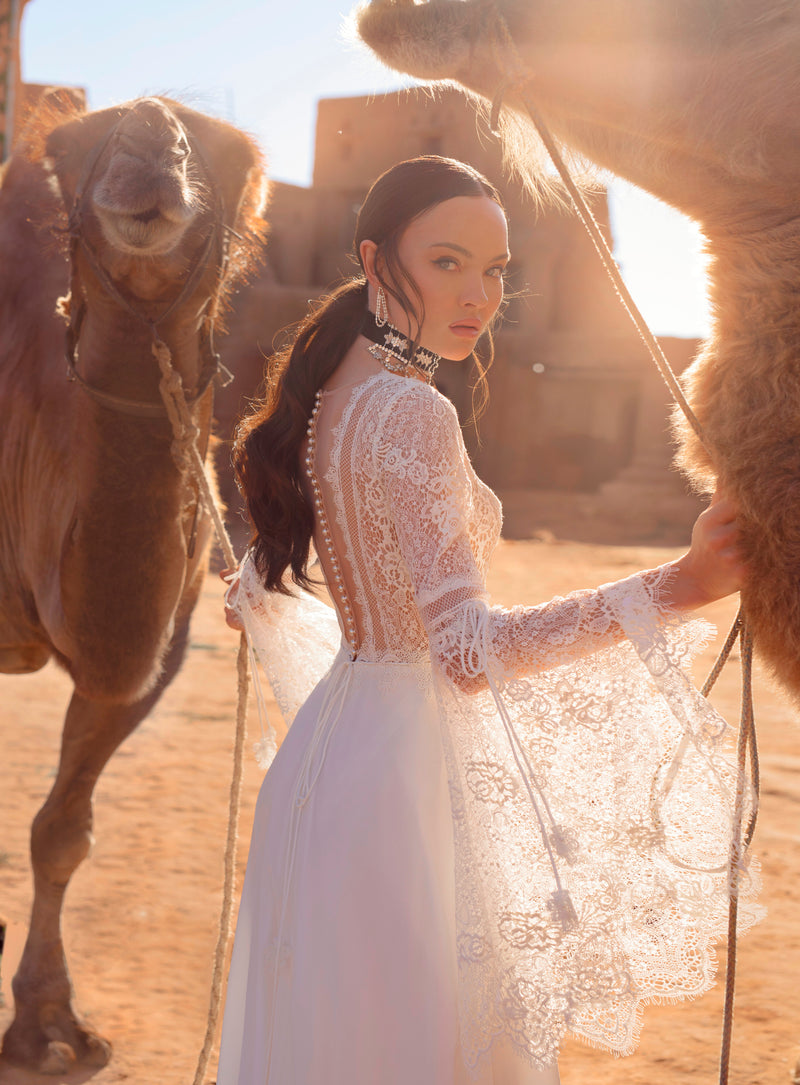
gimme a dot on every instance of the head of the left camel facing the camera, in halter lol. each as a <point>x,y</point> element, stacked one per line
<point>144,183</point>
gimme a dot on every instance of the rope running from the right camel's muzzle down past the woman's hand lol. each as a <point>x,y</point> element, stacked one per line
<point>509,60</point>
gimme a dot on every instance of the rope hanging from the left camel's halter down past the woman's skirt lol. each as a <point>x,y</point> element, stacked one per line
<point>188,458</point>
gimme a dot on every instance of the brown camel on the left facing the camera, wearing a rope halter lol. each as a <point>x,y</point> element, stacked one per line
<point>104,545</point>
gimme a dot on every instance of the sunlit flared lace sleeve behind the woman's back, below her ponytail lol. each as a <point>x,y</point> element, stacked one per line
<point>295,639</point>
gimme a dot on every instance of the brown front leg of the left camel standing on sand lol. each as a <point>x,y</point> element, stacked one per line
<point>46,1033</point>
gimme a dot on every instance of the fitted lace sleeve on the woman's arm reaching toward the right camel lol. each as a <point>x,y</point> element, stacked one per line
<point>431,493</point>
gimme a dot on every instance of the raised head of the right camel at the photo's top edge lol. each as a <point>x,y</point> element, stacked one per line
<point>694,101</point>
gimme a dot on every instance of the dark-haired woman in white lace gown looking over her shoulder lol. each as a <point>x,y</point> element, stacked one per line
<point>485,827</point>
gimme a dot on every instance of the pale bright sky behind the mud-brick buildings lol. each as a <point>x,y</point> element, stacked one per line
<point>264,66</point>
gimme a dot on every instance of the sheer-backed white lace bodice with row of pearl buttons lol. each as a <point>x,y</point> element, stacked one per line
<point>412,519</point>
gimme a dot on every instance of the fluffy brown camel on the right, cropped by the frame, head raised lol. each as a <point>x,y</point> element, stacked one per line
<point>700,104</point>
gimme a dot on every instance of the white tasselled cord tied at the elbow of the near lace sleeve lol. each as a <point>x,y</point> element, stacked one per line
<point>475,660</point>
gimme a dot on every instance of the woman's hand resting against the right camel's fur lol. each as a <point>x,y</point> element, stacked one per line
<point>713,568</point>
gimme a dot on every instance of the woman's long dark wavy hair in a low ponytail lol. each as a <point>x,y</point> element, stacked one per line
<point>268,444</point>
